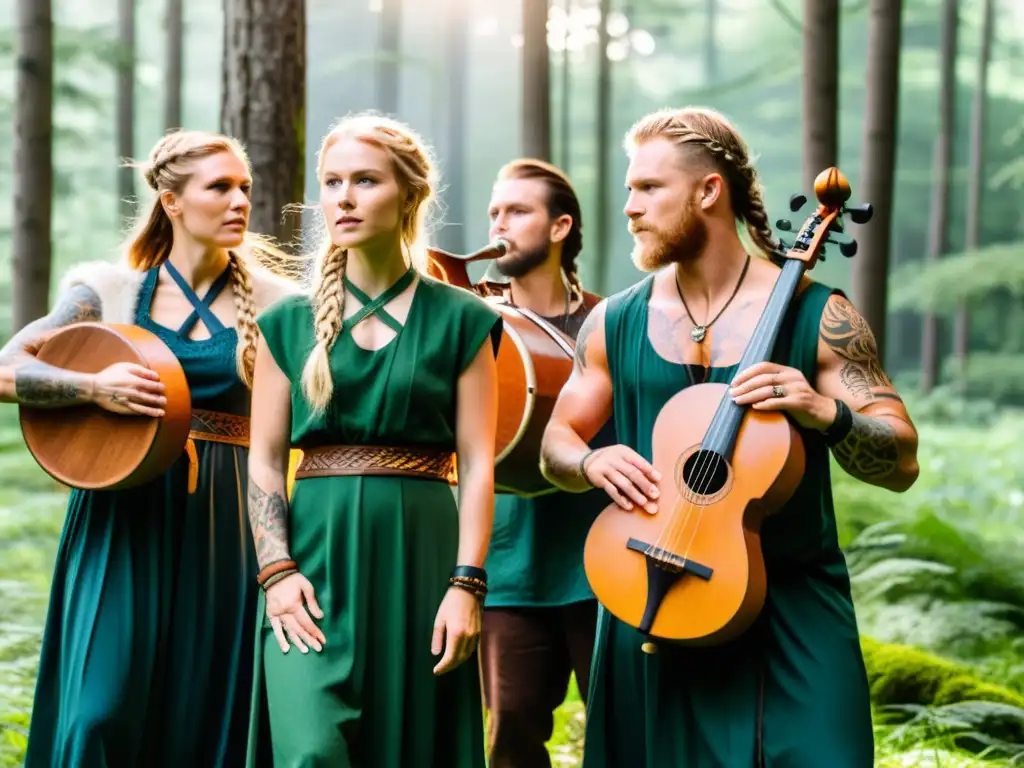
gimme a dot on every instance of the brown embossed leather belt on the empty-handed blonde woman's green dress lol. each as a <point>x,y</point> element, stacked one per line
<point>331,461</point>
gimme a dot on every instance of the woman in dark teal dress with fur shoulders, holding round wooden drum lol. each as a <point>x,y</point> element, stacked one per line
<point>147,653</point>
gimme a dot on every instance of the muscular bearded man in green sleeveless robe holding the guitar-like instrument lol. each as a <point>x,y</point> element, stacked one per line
<point>792,692</point>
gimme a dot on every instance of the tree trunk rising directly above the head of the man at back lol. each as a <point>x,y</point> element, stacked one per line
<point>536,81</point>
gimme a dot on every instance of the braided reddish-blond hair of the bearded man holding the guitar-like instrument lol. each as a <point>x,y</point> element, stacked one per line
<point>720,144</point>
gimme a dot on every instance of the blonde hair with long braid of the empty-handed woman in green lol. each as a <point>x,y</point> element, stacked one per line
<point>414,170</point>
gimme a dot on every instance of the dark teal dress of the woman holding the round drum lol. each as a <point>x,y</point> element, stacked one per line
<point>147,654</point>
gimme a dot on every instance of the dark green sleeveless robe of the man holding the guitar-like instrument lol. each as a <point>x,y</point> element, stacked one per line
<point>792,693</point>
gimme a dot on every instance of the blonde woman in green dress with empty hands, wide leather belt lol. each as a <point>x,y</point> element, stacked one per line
<point>387,380</point>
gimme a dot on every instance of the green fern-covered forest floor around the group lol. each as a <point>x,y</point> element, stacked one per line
<point>940,569</point>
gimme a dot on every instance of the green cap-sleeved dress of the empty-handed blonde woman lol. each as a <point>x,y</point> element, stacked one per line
<point>377,549</point>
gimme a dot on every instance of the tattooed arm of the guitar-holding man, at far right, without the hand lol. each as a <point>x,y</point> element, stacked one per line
<point>881,449</point>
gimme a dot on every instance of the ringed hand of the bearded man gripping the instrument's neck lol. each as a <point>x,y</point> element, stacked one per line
<point>769,387</point>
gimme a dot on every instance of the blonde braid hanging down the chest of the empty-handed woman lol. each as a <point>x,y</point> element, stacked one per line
<point>329,312</point>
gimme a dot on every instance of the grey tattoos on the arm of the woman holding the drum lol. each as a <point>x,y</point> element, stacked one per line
<point>39,385</point>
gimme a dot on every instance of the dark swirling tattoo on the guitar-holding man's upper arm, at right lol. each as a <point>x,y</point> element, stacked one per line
<point>849,336</point>
